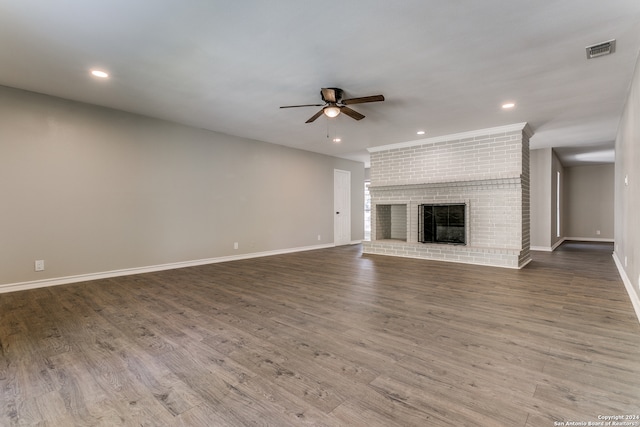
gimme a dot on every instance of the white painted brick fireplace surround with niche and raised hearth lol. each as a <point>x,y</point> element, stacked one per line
<point>487,170</point>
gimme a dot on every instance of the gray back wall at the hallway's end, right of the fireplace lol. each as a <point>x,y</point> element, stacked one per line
<point>589,202</point>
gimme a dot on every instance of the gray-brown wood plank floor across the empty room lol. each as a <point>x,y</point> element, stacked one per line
<point>330,338</point>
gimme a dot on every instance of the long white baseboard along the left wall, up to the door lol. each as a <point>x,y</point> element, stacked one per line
<point>12,287</point>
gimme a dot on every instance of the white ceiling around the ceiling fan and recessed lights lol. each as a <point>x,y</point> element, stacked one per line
<point>443,66</point>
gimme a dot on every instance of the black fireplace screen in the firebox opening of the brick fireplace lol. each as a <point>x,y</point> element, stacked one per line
<point>442,224</point>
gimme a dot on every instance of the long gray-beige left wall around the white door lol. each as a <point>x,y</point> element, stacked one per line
<point>90,190</point>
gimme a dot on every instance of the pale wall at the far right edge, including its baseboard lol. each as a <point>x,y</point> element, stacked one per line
<point>627,193</point>
